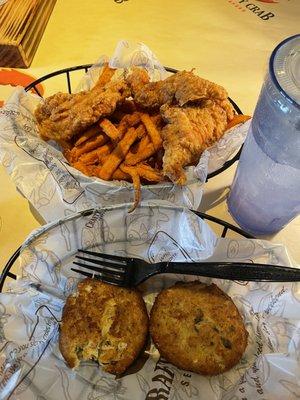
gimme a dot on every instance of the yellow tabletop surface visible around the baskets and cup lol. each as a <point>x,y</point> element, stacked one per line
<point>227,41</point>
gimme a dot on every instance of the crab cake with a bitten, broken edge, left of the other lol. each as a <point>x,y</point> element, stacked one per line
<point>105,323</point>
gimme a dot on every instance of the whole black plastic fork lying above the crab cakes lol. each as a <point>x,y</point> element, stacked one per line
<point>125,271</point>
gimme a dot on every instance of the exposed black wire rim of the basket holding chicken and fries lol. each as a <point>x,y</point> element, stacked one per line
<point>84,68</point>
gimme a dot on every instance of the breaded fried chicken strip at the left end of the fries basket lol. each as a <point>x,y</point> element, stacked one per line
<point>62,116</point>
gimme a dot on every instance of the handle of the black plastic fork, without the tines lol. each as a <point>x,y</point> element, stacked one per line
<point>237,271</point>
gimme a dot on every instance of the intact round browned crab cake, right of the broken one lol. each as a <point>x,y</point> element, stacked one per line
<point>198,328</point>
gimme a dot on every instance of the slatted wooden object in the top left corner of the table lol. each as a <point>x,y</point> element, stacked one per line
<point>22,24</point>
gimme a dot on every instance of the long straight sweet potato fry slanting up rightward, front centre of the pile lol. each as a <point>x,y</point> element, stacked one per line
<point>118,154</point>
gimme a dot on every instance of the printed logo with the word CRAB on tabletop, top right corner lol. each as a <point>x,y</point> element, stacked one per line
<point>265,13</point>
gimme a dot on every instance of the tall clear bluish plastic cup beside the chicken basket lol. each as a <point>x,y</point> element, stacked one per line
<point>265,194</point>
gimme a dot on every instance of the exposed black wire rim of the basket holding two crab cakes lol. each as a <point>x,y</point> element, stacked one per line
<point>226,230</point>
